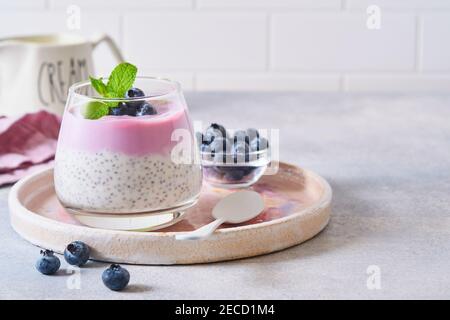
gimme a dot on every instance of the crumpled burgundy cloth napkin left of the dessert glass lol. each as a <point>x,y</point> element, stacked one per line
<point>27,144</point>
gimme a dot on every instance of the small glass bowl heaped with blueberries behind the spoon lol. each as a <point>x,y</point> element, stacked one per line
<point>232,159</point>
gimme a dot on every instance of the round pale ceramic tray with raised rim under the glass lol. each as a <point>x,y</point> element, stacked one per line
<point>297,205</point>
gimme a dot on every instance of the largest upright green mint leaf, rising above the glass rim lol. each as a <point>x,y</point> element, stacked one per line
<point>121,79</point>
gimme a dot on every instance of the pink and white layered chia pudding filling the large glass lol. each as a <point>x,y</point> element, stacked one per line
<point>123,164</point>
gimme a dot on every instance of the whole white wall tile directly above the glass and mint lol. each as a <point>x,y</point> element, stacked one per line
<point>196,41</point>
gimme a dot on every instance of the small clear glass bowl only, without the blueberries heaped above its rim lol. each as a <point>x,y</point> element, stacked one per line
<point>229,172</point>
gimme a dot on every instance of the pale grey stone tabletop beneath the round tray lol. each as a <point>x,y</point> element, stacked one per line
<point>387,158</point>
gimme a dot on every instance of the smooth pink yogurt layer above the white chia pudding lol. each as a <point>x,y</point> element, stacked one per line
<point>135,136</point>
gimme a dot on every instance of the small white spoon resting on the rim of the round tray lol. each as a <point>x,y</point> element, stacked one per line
<point>237,207</point>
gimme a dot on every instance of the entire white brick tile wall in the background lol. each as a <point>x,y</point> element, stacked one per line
<point>302,45</point>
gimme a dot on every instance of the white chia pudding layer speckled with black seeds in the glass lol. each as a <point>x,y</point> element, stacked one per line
<point>119,183</point>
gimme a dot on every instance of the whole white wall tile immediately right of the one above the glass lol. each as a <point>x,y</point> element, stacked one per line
<point>342,42</point>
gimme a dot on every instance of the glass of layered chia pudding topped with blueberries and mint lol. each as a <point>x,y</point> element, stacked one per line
<point>134,154</point>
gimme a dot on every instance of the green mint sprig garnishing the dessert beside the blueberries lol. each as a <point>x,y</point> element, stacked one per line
<point>119,82</point>
